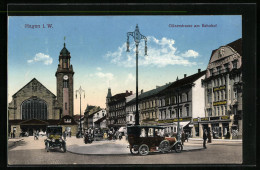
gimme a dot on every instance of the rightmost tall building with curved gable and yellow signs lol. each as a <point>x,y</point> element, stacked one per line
<point>223,92</point>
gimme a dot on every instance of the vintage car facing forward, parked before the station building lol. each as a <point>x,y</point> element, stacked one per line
<point>54,138</point>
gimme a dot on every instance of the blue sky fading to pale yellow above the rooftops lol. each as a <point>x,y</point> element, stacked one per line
<point>97,45</point>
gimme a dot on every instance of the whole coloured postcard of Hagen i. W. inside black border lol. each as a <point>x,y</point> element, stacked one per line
<point>75,83</point>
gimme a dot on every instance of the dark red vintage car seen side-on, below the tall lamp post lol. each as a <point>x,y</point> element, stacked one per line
<point>145,139</point>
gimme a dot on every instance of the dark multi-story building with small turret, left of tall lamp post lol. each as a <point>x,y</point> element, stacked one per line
<point>116,115</point>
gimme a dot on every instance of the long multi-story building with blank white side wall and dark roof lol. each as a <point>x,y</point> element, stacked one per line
<point>184,96</point>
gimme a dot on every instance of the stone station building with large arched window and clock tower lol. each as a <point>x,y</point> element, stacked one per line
<point>34,107</point>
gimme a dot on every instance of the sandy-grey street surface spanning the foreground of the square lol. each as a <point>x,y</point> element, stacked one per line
<point>32,152</point>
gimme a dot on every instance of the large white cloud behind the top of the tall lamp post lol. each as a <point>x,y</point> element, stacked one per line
<point>161,52</point>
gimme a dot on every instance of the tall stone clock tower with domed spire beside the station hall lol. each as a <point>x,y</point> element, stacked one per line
<point>64,78</point>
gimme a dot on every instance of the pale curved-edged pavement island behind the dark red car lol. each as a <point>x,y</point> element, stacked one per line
<point>111,147</point>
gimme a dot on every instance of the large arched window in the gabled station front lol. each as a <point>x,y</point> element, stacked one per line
<point>34,108</point>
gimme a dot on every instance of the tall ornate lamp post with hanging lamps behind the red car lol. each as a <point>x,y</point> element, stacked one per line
<point>137,38</point>
